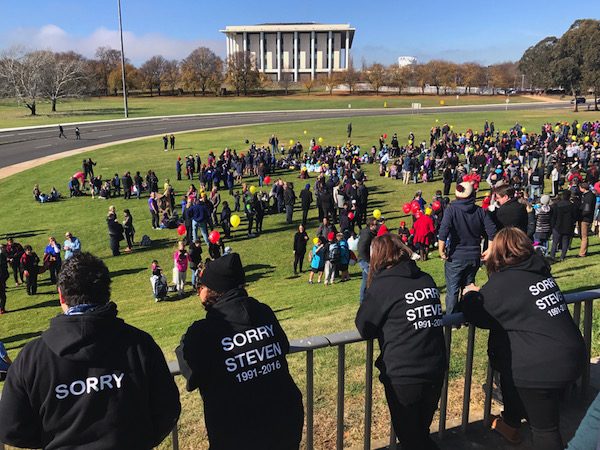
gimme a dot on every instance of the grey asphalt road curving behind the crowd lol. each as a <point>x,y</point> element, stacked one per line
<point>18,146</point>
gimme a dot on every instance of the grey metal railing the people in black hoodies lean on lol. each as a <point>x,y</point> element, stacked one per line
<point>341,340</point>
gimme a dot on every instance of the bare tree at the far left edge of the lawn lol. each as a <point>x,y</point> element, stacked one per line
<point>22,75</point>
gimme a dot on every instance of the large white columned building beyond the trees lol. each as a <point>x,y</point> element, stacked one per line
<point>301,49</point>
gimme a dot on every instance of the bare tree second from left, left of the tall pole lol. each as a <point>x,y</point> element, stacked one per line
<point>64,76</point>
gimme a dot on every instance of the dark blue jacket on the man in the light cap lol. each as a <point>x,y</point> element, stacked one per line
<point>465,224</point>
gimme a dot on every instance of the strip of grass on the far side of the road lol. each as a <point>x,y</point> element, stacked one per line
<point>102,108</point>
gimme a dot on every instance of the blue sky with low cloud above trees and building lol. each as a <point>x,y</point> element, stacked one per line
<point>485,32</point>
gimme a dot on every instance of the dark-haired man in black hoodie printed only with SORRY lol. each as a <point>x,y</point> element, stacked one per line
<point>90,380</point>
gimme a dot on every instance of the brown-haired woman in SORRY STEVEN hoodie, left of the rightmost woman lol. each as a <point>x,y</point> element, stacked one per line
<point>402,310</point>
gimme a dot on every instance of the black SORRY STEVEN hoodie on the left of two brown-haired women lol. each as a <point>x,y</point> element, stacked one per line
<point>402,310</point>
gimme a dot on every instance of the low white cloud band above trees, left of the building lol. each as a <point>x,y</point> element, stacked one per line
<point>138,48</point>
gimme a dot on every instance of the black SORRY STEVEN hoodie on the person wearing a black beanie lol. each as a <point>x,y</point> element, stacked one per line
<point>236,358</point>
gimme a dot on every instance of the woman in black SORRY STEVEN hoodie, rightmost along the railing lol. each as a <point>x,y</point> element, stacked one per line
<point>533,342</point>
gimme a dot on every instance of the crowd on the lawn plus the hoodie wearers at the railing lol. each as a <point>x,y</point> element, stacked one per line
<point>237,353</point>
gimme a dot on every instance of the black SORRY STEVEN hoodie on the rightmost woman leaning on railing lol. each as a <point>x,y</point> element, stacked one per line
<point>532,335</point>
